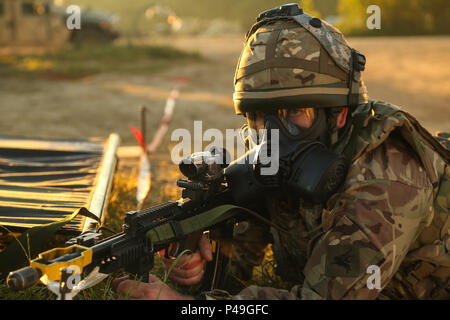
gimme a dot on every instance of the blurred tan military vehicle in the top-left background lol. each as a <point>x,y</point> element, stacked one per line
<point>43,23</point>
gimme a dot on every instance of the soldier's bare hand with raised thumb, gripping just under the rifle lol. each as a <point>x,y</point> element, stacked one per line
<point>190,268</point>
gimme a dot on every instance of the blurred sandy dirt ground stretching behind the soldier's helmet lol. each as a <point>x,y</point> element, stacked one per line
<point>412,72</point>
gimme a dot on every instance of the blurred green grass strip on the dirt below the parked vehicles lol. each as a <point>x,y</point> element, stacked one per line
<point>79,61</point>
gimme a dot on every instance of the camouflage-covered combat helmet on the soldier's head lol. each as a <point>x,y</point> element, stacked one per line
<point>291,59</point>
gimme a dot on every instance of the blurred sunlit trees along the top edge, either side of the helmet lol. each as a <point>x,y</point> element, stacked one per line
<point>398,17</point>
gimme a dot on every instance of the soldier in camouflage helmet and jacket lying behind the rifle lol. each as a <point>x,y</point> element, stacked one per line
<point>384,234</point>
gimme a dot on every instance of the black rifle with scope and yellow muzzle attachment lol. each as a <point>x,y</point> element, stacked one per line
<point>173,225</point>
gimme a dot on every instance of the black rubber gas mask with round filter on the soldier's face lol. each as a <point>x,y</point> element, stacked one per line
<point>306,168</point>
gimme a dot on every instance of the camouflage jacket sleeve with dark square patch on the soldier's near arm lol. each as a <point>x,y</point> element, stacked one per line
<point>386,204</point>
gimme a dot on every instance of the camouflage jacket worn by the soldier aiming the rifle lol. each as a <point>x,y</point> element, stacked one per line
<point>385,235</point>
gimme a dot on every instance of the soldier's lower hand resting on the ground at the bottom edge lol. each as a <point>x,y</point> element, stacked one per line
<point>155,288</point>
